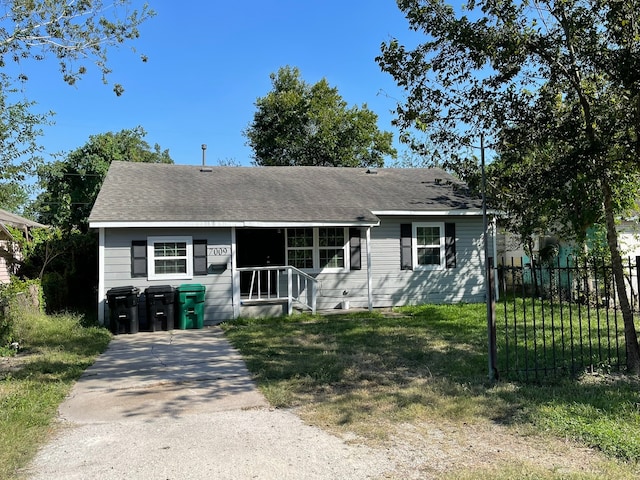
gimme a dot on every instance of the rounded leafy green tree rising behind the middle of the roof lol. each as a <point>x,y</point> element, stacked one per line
<point>301,124</point>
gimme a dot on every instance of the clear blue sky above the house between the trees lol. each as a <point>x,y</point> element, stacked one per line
<point>209,60</point>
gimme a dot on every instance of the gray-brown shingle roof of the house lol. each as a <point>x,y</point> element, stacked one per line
<point>144,192</point>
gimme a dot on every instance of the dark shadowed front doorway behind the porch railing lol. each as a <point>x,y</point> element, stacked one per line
<point>259,247</point>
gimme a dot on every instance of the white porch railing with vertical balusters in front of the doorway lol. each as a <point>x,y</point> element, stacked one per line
<point>280,284</point>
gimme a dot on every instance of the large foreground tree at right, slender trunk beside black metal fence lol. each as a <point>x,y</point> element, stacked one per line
<point>556,84</point>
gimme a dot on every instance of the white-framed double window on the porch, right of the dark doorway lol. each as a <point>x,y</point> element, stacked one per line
<point>317,248</point>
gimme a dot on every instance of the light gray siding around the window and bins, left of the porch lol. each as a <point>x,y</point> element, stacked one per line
<point>117,268</point>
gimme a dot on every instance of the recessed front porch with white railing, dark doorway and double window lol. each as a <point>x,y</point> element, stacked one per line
<point>282,270</point>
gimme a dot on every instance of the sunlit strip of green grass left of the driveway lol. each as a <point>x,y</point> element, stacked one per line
<point>55,352</point>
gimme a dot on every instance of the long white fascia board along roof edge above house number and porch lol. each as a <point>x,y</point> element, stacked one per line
<point>214,224</point>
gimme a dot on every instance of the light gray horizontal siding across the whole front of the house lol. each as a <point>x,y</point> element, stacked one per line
<point>391,286</point>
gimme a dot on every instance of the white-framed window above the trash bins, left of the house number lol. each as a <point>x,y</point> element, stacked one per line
<point>169,258</point>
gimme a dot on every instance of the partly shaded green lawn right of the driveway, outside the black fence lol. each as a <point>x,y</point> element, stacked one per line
<point>365,373</point>
